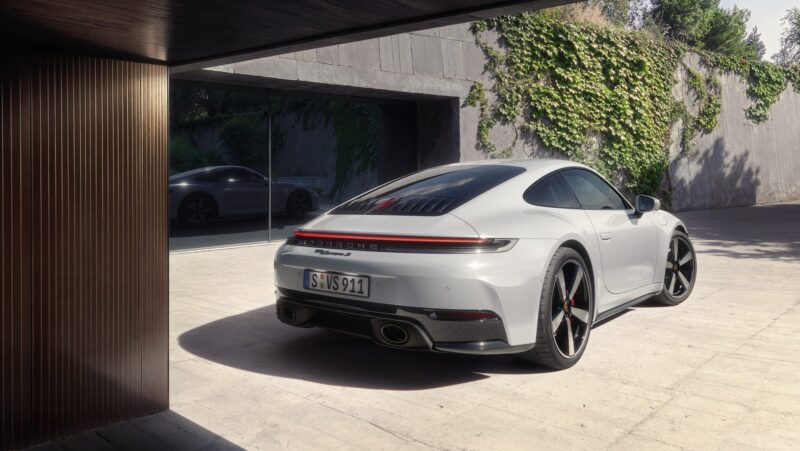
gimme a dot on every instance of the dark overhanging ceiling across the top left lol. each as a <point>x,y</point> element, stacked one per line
<point>190,34</point>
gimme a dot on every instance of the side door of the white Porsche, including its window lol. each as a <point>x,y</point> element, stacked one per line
<point>628,243</point>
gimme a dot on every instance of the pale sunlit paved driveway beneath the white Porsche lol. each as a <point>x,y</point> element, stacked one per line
<point>720,371</point>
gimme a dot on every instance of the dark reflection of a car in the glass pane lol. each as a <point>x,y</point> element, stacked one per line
<point>199,196</point>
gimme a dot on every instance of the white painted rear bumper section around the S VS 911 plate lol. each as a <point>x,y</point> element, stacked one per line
<point>507,283</point>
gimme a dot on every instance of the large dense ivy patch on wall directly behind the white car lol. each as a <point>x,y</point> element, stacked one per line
<point>567,83</point>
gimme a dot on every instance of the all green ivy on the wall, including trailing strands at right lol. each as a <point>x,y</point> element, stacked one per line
<point>571,85</point>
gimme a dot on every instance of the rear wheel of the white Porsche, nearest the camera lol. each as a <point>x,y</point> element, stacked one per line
<point>562,348</point>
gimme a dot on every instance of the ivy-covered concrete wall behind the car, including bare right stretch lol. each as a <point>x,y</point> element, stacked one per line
<point>638,110</point>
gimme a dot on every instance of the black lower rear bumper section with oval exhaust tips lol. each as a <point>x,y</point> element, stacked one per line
<point>421,330</point>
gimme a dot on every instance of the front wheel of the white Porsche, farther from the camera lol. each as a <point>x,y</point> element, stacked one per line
<point>680,273</point>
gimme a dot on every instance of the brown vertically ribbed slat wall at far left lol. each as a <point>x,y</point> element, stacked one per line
<point>84,263</point>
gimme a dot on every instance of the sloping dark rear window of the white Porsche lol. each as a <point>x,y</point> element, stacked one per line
<point>431,192</point>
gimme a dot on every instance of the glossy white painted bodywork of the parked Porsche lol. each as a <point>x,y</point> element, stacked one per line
<point>627,267</point>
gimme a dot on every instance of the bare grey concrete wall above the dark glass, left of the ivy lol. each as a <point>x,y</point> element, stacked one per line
<point>433,67</point>
